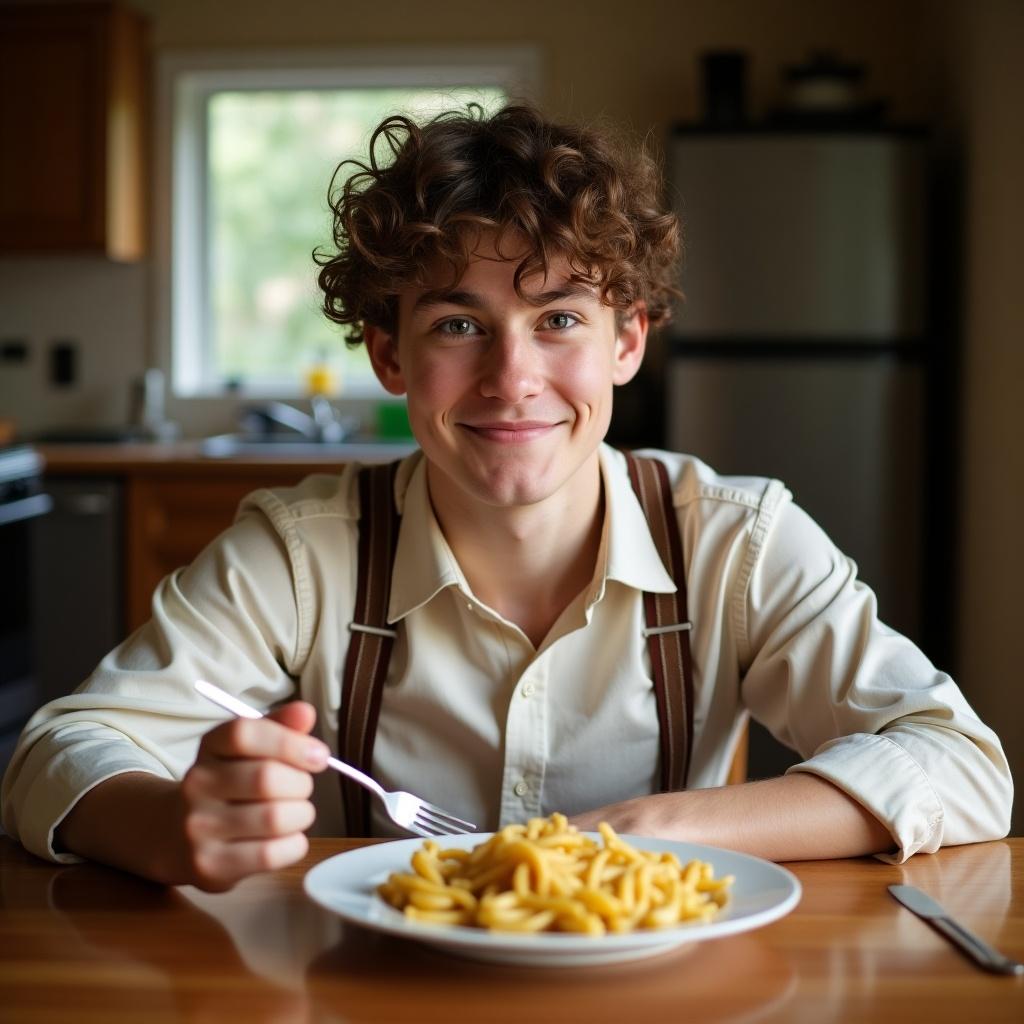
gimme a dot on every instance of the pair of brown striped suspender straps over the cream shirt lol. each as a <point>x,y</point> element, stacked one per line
<point>372,641</point>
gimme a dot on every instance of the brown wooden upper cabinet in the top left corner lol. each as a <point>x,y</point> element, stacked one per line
<point>72,116</point>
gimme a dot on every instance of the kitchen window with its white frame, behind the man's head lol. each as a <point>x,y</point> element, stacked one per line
<point>247,148</point>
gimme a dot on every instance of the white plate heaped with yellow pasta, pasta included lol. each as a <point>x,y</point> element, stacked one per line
<point>544,894</point>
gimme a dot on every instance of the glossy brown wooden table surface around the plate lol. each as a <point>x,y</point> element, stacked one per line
<point>87,945</point>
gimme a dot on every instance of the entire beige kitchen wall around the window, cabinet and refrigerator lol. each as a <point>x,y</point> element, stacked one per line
<point>954,64</point>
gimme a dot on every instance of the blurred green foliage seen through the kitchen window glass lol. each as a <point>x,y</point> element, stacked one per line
<point>272,155</point>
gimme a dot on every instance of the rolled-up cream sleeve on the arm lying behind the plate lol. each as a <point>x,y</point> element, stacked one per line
<point>862,704</point>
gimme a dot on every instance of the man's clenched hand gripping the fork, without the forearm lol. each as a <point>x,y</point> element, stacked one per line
<point>245,802</point>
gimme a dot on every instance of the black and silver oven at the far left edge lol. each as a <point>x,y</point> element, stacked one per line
<point>22,503</point>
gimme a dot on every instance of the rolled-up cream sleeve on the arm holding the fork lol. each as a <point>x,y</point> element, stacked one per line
<point>233,618</point>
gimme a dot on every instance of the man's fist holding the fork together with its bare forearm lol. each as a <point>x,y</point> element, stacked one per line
<point>242,808</point>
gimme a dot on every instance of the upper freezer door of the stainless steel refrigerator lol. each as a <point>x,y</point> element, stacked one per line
<point>801,236</point>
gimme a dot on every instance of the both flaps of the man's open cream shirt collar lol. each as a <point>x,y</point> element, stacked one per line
<point>425,565</point>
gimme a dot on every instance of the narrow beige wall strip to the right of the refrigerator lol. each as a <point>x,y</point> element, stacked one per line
<point>984,98</point>
